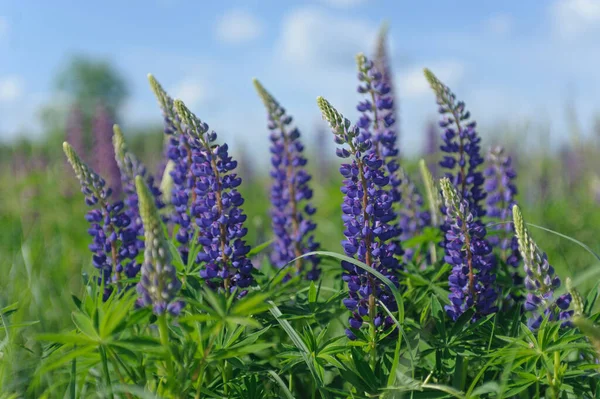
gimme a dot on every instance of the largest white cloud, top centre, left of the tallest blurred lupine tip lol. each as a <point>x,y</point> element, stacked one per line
<point>312,37</point>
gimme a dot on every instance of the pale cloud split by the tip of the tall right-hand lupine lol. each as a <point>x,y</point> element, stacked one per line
<point>412,82</point>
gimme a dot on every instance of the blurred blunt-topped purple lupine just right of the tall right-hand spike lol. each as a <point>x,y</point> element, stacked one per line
<point>501,191</point>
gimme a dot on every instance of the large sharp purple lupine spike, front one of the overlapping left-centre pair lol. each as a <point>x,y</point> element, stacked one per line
<point>216,209</point>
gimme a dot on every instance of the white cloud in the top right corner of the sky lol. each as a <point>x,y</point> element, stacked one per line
<point>574,17</point>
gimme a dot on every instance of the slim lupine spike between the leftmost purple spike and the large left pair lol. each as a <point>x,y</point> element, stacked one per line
<point>130,168</point>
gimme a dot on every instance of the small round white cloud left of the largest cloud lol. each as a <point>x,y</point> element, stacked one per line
<point>238,26</point>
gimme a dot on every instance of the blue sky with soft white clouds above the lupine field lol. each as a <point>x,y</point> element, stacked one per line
<point>516,64</point>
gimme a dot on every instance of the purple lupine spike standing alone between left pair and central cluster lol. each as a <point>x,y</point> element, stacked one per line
<point>292,209</point>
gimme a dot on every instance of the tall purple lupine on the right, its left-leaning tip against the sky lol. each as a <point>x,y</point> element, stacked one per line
<point>461,145</point>
